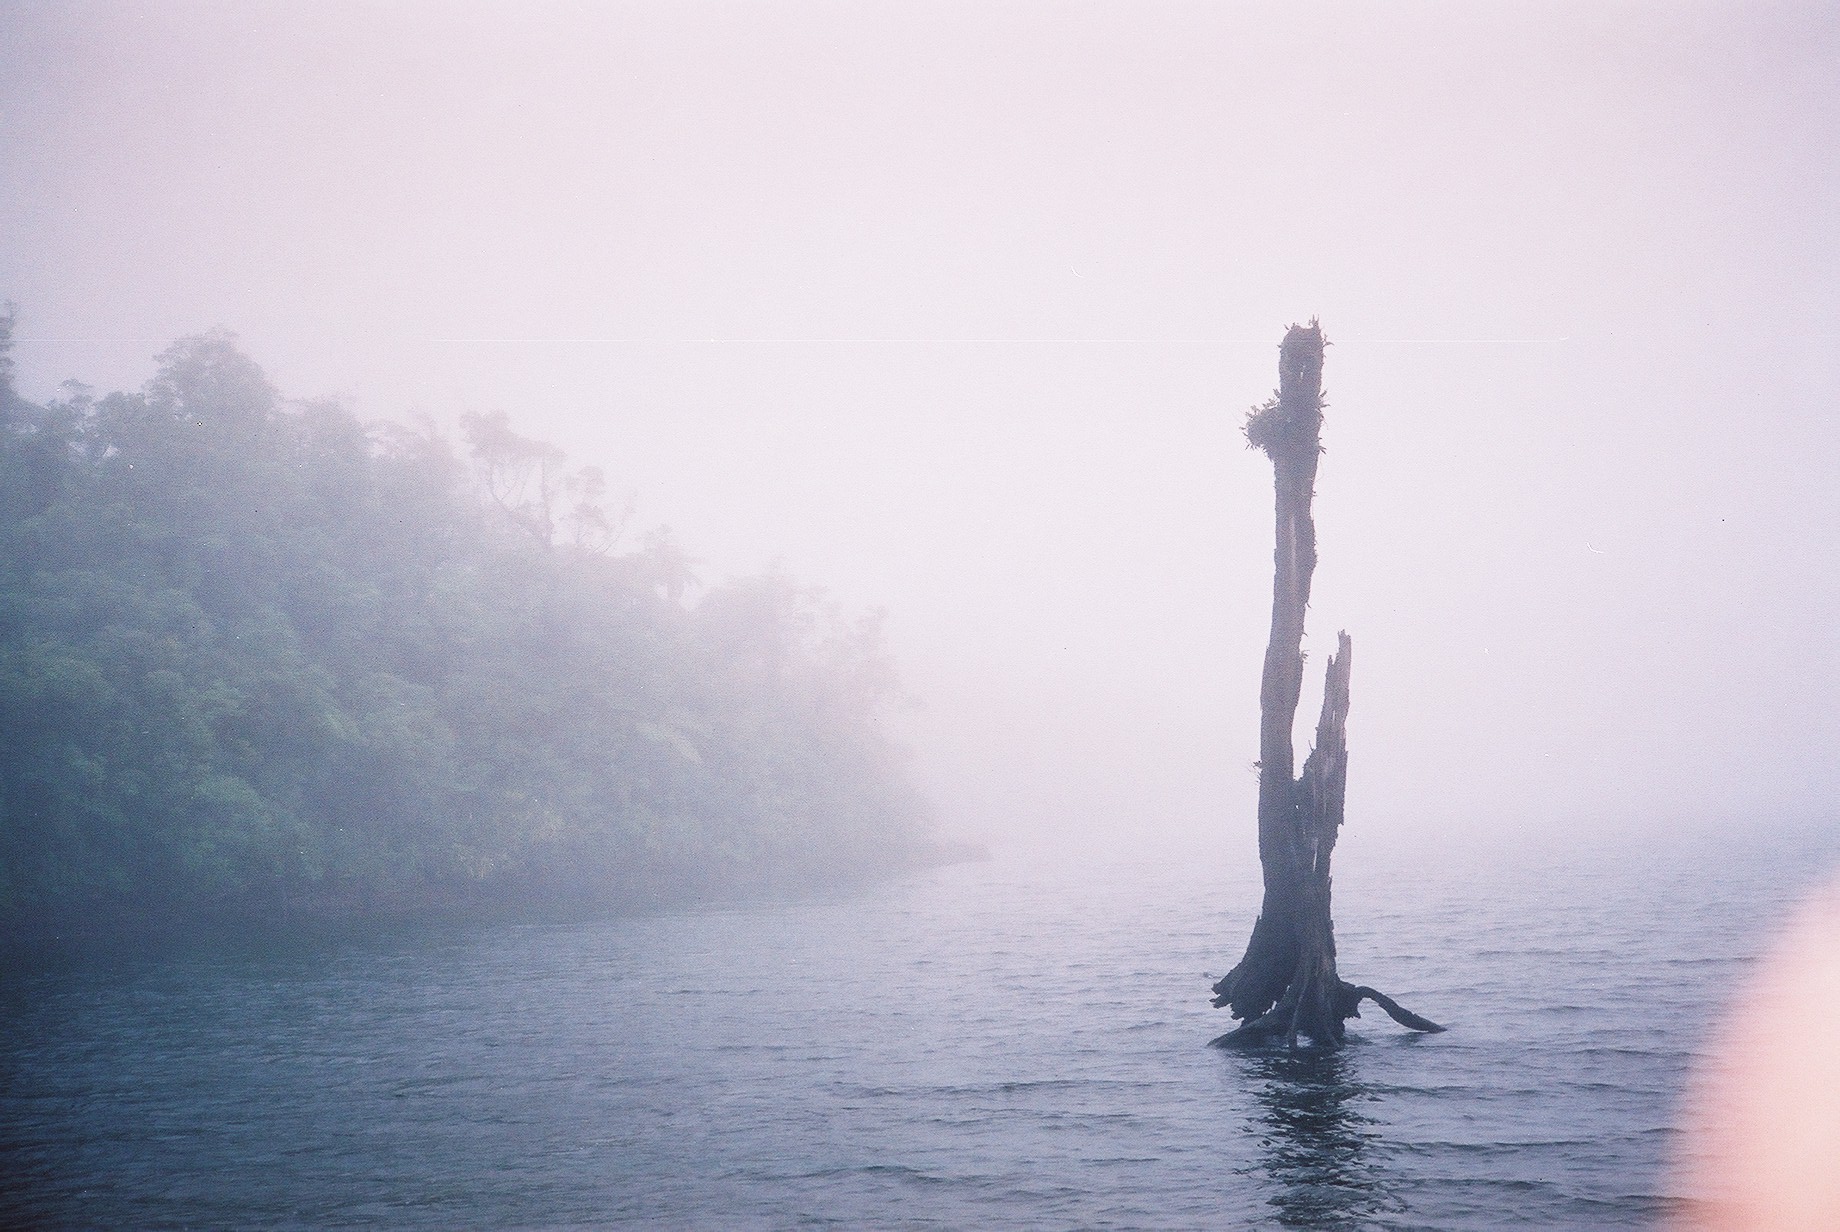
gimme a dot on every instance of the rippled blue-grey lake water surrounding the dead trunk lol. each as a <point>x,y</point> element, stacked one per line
<point>1015,1044</point>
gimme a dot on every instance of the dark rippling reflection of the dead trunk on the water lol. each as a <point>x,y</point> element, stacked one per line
<point>1317,1145</point>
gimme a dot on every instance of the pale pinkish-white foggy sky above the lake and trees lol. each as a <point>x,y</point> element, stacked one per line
<point>956,310</point>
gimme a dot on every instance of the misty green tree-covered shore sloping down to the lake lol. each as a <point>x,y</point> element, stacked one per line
<point>259,657</point>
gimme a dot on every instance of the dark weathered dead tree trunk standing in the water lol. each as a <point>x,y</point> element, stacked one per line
<point>1287,983</point>
